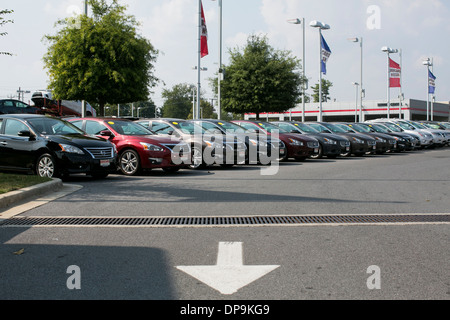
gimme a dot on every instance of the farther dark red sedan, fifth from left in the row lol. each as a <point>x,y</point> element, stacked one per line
<point>298,146</point>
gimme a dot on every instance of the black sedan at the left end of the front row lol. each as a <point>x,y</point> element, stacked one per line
<point>51,147</point>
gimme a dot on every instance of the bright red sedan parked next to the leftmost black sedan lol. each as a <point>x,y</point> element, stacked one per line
<point>138,148</point>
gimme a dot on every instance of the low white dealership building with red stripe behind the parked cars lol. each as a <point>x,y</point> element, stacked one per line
<point>347,111</point>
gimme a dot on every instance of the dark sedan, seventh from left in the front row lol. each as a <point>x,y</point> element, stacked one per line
<point>359,144</point>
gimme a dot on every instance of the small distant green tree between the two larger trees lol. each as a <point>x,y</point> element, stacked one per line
<point>177,101</point>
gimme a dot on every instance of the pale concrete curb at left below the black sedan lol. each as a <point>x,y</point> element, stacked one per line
<point>13,197</point>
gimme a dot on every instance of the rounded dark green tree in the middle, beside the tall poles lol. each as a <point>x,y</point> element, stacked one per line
<point>260,79</point>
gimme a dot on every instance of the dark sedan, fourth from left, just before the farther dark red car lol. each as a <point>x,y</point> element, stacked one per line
<point>262,148</point>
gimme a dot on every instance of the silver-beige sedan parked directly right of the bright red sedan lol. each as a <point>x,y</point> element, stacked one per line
<point>207,148</point>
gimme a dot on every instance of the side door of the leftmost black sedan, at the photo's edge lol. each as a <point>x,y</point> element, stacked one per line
<point>17,151</point>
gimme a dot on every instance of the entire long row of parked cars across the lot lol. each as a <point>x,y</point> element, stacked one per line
<point>55,147</point>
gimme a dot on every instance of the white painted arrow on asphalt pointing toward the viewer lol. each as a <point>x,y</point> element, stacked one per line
<point>229,275</point>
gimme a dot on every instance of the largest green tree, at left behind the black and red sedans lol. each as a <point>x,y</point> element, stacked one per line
<point>101,59</point>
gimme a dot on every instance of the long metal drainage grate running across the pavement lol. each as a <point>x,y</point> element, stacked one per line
<point>223,221</point>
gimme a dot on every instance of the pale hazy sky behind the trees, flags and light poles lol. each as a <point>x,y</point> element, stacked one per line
<point>418,28</point>
